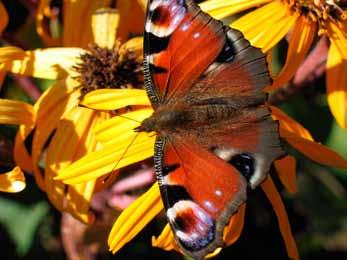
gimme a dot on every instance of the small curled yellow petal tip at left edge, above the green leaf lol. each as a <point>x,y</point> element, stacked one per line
<point>12,181</point>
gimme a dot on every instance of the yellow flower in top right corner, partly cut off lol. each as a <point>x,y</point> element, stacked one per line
<point>272,20</point>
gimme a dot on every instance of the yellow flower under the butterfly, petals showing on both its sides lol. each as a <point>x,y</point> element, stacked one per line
<point>122,145</point>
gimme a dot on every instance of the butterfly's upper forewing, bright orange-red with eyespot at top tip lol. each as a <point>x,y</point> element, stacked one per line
<point>180,43</point>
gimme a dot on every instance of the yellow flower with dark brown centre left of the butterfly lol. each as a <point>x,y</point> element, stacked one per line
<point>63,131</point>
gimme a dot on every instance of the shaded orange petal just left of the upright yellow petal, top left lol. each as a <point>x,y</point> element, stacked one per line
<point>78,21</point>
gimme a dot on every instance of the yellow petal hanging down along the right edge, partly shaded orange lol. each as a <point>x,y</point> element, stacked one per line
<point>337,75</point>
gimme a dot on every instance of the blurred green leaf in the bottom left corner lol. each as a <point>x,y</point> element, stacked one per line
<point>21,222</point>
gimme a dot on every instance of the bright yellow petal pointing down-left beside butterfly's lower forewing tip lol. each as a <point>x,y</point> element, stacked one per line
<point>134,218</point>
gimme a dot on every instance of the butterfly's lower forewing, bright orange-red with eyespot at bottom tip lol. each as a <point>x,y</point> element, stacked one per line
<point>200,192</point>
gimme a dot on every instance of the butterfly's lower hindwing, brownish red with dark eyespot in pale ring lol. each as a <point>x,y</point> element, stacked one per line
<point>249,141</point>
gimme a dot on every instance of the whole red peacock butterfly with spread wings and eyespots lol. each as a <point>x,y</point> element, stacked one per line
<point>215,135</point>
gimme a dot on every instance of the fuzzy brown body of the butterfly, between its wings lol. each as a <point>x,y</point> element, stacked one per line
<point>167,119</point>
